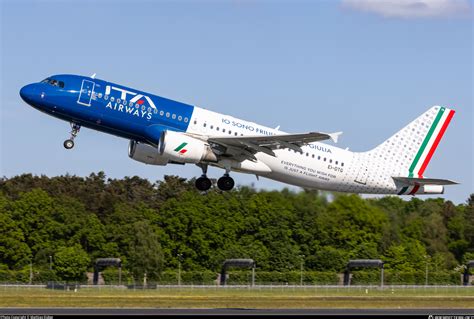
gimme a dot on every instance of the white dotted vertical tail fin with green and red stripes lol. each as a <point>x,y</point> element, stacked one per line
<point>408,152</point>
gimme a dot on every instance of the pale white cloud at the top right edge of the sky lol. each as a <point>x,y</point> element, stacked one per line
<point>412,8</point>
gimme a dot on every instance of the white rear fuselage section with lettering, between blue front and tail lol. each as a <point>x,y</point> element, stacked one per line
<point>319,166</point>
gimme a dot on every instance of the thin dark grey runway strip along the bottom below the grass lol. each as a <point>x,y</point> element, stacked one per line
<point>228,311</point>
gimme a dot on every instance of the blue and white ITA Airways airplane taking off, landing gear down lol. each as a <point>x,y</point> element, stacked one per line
<point>163,131</point>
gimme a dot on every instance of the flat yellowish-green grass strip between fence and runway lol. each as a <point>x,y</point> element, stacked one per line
<point>277,297</point>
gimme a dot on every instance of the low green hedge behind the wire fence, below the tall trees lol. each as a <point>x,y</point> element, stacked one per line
<point>243,278</point>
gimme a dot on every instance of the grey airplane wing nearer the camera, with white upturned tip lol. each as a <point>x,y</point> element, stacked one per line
<point>244,147</point>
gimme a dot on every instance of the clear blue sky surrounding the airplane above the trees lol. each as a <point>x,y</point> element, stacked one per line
<point>364,67</point>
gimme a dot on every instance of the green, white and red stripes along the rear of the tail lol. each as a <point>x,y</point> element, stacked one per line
<point>428,147</point>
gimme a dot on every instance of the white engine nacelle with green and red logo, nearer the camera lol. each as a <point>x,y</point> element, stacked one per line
<point>182,148</point>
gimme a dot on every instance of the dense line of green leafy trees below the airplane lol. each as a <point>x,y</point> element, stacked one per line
<point>66,222</point>
